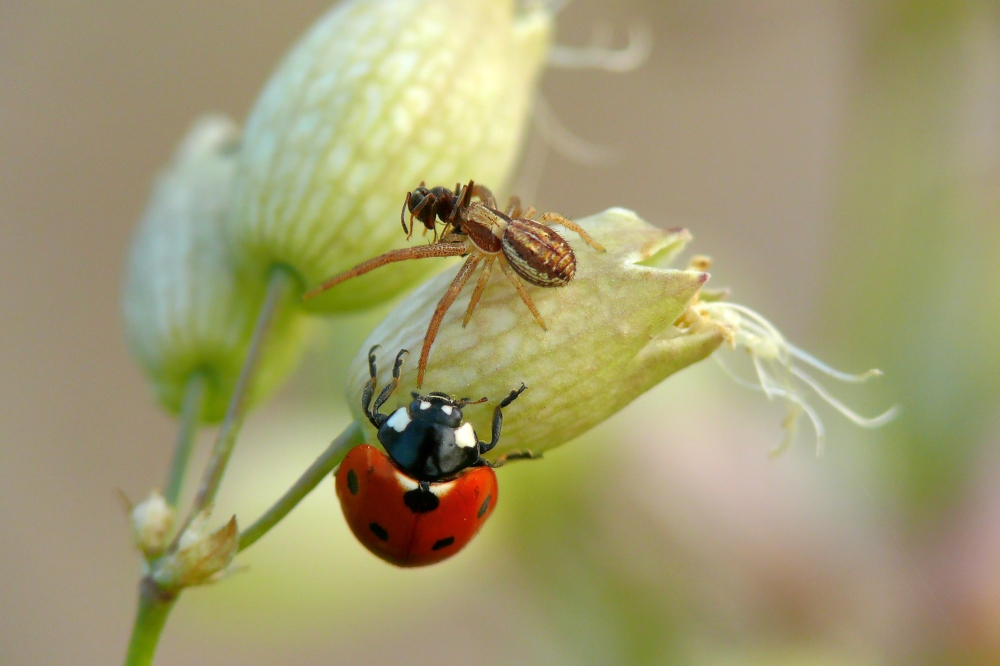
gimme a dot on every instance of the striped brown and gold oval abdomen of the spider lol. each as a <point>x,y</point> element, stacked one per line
<point>538,254</point>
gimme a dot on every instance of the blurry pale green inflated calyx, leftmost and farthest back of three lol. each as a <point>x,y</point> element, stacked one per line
<point>185,313</point>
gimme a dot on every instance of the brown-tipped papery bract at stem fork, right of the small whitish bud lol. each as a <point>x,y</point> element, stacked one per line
<point>200,557</point>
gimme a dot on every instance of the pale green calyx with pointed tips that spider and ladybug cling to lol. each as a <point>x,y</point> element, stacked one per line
<point>612,335</point>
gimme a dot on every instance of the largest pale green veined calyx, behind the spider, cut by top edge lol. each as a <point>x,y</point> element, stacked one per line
<point>377,97</point>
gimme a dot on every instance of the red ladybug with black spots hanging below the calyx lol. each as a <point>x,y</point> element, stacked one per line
<point>428,497</point>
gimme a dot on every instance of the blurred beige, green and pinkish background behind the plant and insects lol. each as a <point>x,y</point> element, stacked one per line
<point>839,161</point>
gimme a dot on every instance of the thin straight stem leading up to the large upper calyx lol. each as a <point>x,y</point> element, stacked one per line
<point>279,282</point>
